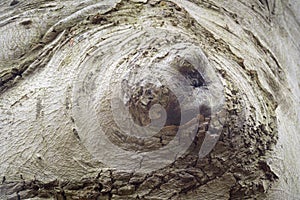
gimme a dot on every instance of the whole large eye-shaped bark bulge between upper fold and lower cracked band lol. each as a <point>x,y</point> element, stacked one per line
<point>135,96</point>
